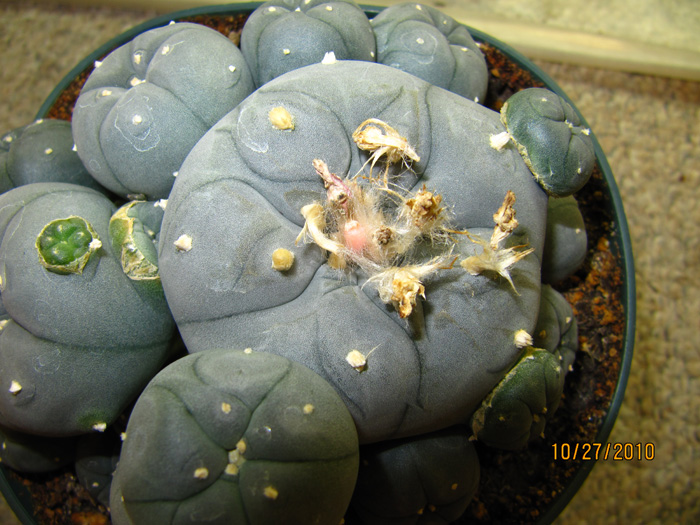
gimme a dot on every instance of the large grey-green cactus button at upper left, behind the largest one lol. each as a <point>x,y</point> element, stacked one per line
<point>145,106</point>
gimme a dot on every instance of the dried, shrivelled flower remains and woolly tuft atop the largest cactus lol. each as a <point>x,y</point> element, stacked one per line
<point>397,237</point>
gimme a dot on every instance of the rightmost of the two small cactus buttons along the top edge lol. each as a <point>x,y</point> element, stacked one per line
<point>421,40</point>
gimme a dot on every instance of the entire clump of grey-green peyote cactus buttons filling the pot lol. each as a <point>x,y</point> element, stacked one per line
<point>301,260</point>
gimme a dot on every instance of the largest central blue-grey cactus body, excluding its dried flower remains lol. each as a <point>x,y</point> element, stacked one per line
<point>238,198</point>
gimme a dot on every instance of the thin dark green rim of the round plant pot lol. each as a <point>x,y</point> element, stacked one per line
<point>17,495</point>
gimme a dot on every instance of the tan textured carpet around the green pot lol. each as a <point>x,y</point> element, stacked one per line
<point>649,128</point>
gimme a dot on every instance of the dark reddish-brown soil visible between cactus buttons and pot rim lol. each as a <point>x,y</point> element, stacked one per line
<point>515,487</point>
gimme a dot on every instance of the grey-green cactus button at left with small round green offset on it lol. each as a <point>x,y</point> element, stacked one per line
<point>72,368</point>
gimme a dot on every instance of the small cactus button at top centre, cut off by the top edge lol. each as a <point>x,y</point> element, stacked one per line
<point>283,35</point>
